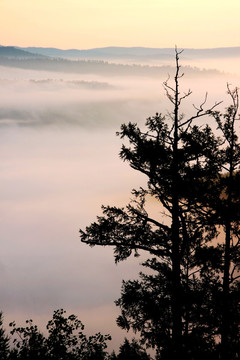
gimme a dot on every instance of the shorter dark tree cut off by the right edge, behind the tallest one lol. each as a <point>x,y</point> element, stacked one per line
<point>226,207</point>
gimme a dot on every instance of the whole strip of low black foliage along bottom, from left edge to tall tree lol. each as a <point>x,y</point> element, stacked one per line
<point>65,341</point>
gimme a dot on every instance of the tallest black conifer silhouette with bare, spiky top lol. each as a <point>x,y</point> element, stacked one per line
<point>169,152</point>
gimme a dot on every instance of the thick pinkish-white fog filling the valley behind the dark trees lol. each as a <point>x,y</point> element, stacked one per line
<point>59,164</point>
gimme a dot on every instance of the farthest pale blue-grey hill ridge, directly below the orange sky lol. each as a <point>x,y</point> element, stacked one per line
<point>135,53</point>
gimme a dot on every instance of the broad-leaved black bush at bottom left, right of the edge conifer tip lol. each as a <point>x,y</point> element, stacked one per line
<point>65,341</point>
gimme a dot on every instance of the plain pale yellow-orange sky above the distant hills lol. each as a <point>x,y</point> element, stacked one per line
<point>87,24</point>
